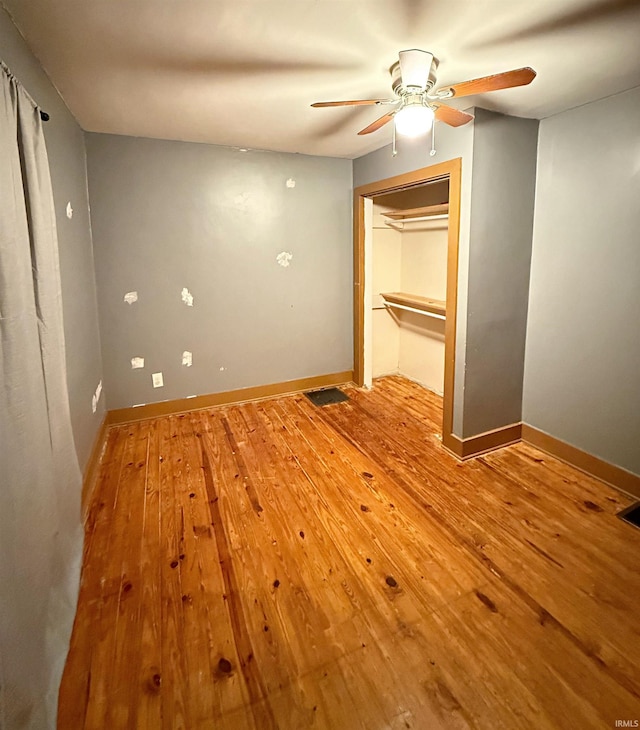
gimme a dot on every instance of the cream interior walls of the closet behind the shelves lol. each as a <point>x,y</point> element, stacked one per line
<point>409,258</point>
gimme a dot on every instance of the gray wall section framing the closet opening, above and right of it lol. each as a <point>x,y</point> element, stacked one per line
<point>413,154</point>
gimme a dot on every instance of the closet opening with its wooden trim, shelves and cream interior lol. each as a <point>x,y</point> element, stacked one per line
<point>406,231</point>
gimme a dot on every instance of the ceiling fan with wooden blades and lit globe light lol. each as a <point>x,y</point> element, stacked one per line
<point>413,77</point>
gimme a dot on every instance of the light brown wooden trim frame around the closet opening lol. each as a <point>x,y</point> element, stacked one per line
<point>452,170</point>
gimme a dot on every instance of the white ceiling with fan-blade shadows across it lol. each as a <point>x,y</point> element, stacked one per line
<point>244,72</point>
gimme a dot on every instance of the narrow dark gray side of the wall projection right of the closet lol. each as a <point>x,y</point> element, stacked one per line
<point>502,201</point>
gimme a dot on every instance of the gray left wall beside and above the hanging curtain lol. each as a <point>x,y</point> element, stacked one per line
<point>65,146</point>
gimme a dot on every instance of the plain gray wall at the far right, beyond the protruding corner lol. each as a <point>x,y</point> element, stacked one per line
<point>582,367</point>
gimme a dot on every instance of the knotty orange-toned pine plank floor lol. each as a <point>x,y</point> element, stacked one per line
<point>278,565</point>
